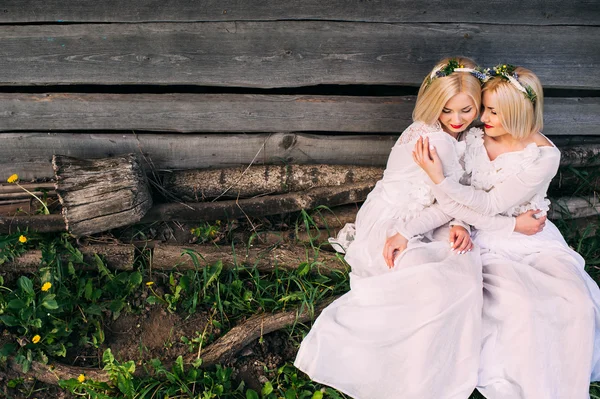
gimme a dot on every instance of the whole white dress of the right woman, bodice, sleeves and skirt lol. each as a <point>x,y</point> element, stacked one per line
<point>541,312</point>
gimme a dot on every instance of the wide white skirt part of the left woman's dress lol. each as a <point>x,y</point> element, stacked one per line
<point>413,332</point>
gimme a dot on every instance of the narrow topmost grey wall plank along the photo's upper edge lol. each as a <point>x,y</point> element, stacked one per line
<point>549,12</point>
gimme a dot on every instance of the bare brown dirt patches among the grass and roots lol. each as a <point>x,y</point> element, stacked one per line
<point>156,333</point>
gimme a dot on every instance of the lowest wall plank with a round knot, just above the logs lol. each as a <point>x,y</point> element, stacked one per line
<point>30,154</point>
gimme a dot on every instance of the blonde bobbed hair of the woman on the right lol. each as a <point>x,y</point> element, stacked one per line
<point>518,114</point>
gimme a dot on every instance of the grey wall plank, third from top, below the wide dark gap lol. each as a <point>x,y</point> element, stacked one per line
<point>248,113</point>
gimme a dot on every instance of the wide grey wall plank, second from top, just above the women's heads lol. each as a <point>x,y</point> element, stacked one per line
<point>286,53</point>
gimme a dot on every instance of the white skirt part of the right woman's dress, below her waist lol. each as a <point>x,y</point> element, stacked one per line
<point>541,319</point>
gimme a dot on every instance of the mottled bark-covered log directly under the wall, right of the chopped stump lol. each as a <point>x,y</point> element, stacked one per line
<point>197,185</point>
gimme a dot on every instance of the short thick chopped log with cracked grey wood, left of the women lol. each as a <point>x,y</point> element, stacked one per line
<point>101,194</point>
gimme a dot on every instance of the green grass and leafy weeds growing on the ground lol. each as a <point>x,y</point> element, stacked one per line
<point>70,316</point>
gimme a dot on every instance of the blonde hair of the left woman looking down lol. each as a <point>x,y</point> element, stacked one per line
<point>433,95</point>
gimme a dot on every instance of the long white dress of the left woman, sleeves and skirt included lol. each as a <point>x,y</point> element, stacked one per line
<point>412,332</point>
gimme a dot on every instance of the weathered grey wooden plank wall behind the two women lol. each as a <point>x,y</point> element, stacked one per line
<point>226,83</point>
